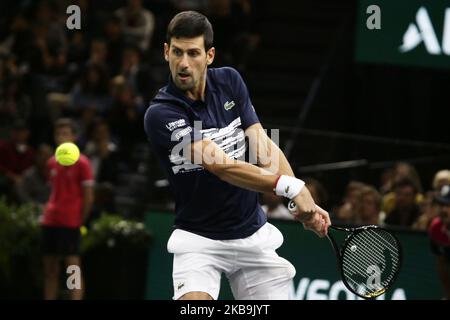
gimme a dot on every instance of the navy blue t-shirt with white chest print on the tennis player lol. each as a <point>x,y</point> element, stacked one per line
<point>206,205</point>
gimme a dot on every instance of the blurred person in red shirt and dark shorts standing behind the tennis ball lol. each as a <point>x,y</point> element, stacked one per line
<point>69,205</point>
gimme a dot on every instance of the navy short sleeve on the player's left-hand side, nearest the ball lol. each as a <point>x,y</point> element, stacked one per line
<point>167,128</point>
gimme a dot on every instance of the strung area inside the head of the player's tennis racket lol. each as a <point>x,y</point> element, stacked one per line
<point>370,261</point>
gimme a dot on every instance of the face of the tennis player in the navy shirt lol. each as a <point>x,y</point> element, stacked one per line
<point>188,61</point>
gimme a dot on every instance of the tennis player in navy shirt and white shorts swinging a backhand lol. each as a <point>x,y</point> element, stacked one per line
<point>197,125</point>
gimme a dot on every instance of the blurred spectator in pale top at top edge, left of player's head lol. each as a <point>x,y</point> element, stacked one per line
<point>138,24</point>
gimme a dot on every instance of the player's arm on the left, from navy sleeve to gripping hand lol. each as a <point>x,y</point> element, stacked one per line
<point>169,129</point>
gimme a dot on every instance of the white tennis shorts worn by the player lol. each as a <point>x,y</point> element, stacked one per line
<point>253,268</point>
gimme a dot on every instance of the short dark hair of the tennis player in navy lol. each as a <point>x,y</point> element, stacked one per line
<point>191,24</point>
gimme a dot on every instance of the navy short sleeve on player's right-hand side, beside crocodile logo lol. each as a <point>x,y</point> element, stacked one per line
<point>247,111</point>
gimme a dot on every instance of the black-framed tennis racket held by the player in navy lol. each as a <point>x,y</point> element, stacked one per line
<point>368,260</point>
